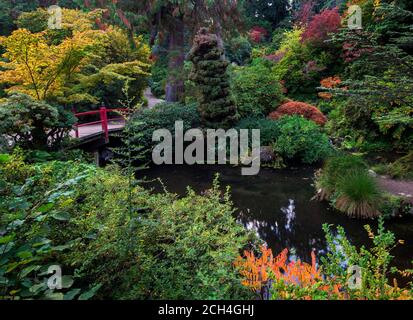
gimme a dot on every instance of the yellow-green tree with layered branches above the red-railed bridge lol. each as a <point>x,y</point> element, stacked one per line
<point>116,60</point>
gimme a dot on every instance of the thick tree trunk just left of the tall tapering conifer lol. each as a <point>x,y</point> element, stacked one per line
<point>175,83</point>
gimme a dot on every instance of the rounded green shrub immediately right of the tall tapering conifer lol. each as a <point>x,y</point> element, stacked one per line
<point>256,90</point>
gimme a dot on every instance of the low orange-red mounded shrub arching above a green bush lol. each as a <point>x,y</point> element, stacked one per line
<point>306,110</point>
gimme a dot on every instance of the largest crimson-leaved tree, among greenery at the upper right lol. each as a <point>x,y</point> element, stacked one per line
<point>326,22</point>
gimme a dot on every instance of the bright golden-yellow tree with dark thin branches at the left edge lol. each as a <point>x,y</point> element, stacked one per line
<point>38,69</point>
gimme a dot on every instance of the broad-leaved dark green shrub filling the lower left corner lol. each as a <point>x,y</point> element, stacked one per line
<point>31,227</point>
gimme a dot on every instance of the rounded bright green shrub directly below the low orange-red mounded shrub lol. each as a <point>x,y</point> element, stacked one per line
<point>301,139</point>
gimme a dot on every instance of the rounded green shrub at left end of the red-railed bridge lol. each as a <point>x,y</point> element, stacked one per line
<point>34,124</point>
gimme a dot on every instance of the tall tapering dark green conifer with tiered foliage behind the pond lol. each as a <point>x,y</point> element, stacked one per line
<point>209,73</point>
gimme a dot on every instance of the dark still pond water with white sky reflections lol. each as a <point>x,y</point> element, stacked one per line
<point>277,206</point>
